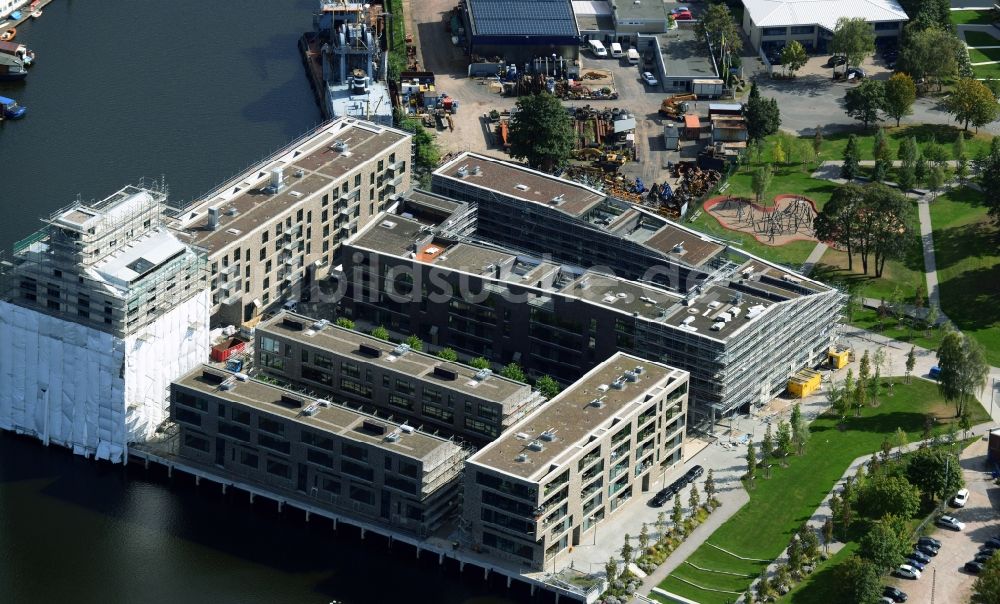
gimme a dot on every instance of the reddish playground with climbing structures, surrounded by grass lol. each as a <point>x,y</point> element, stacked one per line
<point>789,219</point>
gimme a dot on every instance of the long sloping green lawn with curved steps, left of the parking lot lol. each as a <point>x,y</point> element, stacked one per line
<point>779,505</point>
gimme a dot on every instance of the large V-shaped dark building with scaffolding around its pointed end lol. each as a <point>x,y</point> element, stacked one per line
<point>559,277</point>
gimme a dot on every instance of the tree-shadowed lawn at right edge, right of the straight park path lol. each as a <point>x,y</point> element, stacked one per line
<point>968,259</point>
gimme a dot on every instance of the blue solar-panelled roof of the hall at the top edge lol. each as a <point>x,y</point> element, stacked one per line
<point>522,17</point>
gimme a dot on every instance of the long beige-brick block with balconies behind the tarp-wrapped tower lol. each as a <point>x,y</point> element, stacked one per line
<point>277,228</point>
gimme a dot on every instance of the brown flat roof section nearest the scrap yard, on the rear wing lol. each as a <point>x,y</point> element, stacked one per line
<point>521,182</point>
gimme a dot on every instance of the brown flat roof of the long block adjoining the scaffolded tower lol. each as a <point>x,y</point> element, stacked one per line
<point>309,165</point>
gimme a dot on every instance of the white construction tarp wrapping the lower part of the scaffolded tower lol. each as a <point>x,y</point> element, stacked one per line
<point>85,389</point>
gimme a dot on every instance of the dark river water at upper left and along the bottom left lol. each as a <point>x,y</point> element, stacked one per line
<point>193,92</point>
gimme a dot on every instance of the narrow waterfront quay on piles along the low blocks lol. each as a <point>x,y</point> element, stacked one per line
<point>563,586</point>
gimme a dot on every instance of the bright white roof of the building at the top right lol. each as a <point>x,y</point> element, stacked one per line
<point>825,13</point>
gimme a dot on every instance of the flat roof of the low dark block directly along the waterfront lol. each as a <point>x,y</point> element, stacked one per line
<point>335,419</point>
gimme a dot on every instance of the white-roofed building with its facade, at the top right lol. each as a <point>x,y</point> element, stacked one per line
<point>770,24</point>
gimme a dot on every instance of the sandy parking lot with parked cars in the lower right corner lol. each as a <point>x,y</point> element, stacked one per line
<point>945,574</point>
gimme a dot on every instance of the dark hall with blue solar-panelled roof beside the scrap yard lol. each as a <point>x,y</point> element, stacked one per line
<point>518,31</point>
